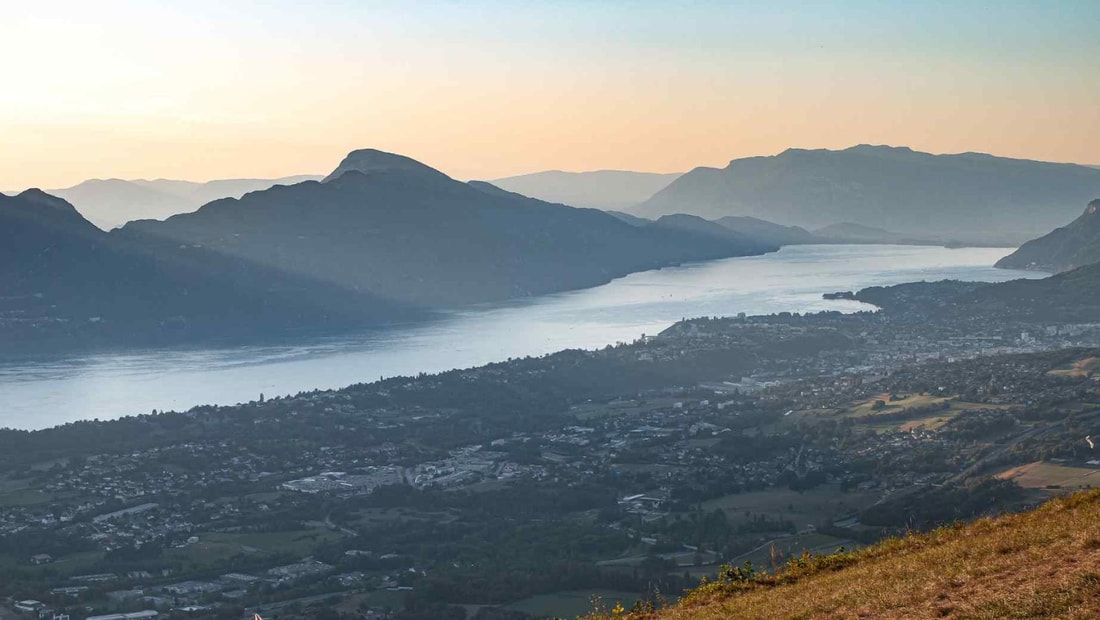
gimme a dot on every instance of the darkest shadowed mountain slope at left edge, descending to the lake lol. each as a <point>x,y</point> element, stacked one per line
<point>69,284</point>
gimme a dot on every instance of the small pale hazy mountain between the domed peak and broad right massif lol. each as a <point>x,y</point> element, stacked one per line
<point>601,190</point>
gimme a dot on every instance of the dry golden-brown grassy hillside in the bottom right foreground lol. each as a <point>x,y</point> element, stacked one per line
<point>1039,564</point>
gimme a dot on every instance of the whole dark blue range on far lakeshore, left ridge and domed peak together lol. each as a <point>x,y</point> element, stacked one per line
<point>383,239</point>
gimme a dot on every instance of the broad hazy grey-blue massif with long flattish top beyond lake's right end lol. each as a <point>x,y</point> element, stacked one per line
<point>970,197</point>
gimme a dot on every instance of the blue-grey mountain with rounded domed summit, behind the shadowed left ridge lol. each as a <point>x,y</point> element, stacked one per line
<point>399,229</point>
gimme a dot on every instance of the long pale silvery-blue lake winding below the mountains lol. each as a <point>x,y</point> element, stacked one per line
<point>112,385</point>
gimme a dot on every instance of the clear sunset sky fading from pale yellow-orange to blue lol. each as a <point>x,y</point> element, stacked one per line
<point>204,90</point>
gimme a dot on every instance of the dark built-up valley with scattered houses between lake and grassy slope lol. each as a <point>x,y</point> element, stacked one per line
<point>481,493</point>
